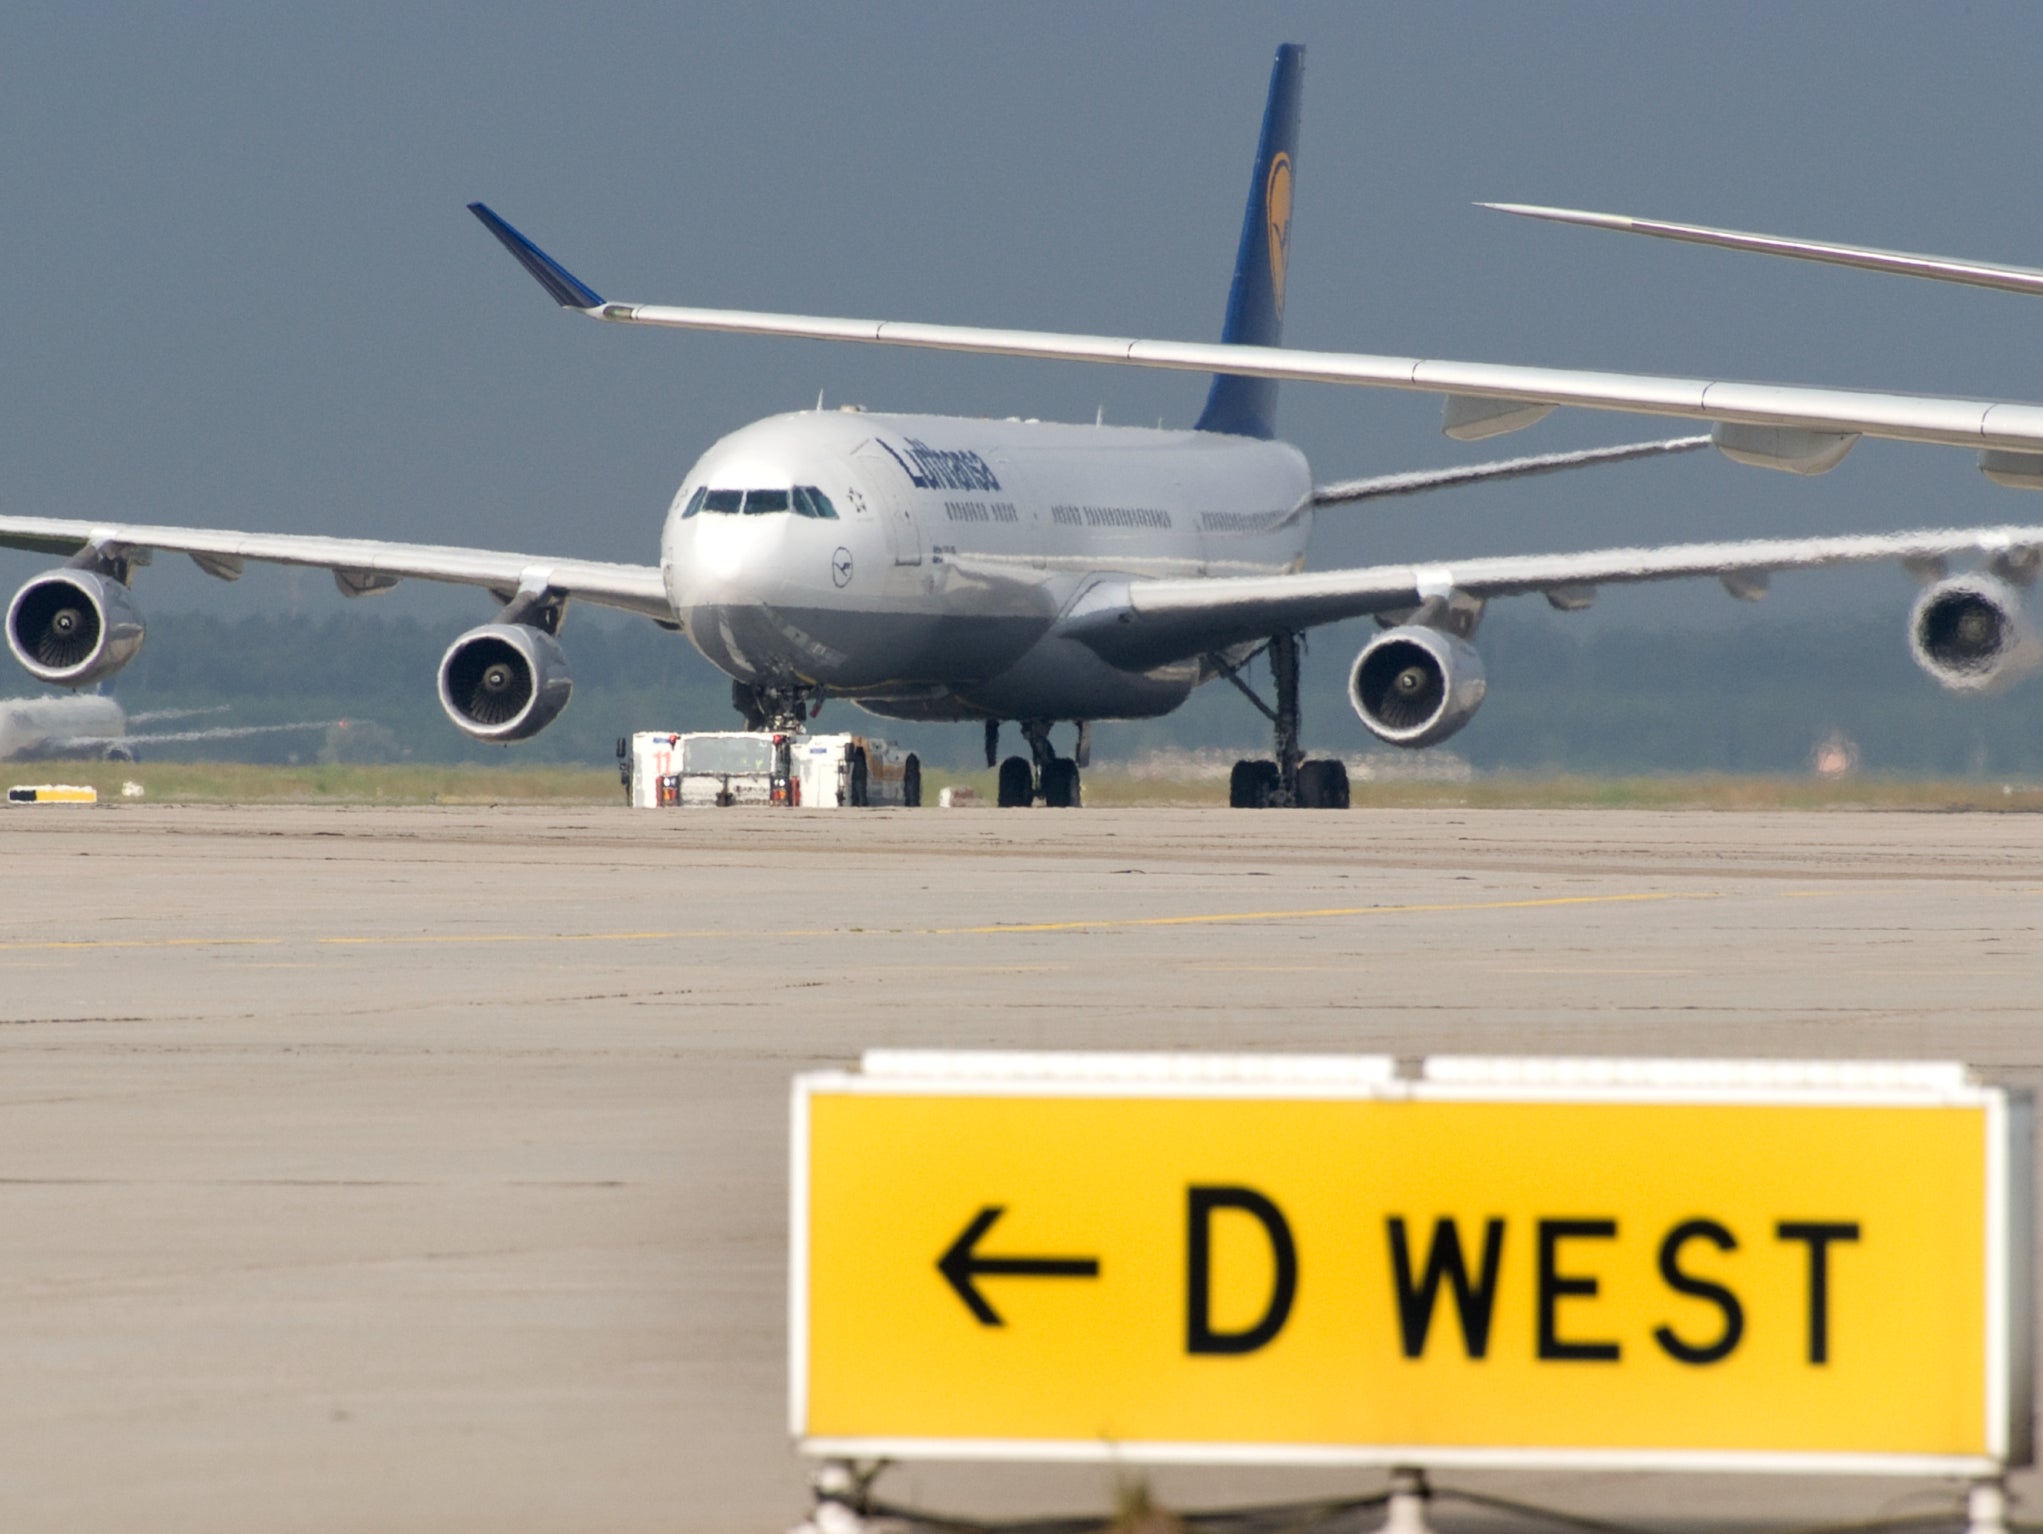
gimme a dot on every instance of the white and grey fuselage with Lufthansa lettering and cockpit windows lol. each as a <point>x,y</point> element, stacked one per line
<point>920,565</point>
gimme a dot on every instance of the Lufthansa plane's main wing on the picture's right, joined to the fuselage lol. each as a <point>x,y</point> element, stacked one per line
<point>1153,622</point>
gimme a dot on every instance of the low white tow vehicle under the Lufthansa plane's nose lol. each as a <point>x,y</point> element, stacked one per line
<point>757,767</point>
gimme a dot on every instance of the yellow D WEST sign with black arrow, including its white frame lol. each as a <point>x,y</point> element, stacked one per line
<point>1662,1265</point>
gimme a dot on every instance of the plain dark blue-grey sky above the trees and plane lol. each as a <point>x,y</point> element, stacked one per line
<point>242,289</point>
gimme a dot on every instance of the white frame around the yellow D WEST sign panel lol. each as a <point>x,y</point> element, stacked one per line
<point>2009,1259</point>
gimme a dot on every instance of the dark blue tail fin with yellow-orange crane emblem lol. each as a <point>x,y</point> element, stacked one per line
<point>1247,408</point>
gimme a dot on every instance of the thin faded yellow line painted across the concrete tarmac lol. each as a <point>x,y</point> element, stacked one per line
<point>724,934</point>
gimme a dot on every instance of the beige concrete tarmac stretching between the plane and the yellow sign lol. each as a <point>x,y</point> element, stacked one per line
<point>428,1167</point>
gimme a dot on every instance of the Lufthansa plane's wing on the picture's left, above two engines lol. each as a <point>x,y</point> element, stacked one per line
<point>359,565</point>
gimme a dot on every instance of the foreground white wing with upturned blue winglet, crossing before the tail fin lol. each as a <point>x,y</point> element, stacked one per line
<point>1768,426</point>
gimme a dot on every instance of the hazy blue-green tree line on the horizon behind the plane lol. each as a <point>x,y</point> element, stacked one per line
<point>1562,698</point>
